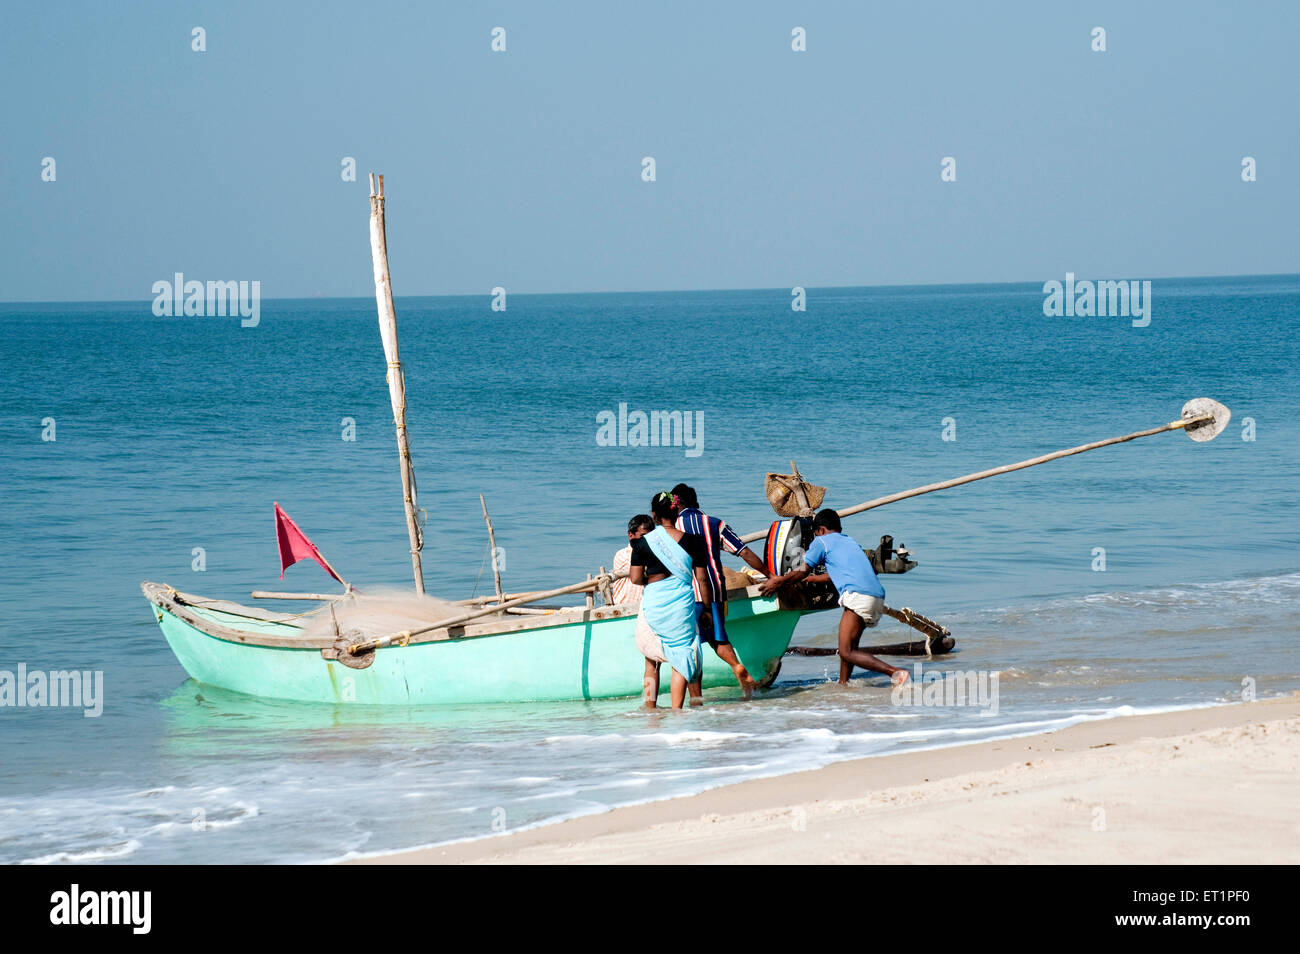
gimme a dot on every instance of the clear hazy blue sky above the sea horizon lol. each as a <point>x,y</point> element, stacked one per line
<point>525,168</point>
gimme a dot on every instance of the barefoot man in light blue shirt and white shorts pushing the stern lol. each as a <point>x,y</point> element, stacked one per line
<point>861,593</point>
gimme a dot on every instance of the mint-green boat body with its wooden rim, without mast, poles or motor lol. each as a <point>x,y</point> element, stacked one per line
<point>574,653</point>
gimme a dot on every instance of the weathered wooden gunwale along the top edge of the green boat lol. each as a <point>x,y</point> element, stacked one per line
<point>184,606</point>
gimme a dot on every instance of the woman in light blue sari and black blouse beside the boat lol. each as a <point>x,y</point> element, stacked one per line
<point>665,561</point>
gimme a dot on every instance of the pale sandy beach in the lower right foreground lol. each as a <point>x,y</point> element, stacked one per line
<point>1207,786</point>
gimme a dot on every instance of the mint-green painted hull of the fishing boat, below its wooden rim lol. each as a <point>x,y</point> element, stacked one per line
<point>588,660</point>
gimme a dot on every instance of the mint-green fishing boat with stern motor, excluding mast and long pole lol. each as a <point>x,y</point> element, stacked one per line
<point>493,651</point>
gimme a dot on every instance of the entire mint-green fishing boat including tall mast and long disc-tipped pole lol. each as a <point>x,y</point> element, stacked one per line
<point>506,649</point>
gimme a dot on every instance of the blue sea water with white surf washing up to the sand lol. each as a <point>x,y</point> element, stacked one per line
<point>175,435</point>
